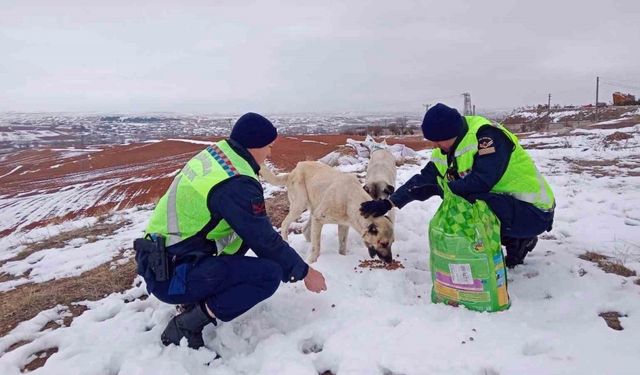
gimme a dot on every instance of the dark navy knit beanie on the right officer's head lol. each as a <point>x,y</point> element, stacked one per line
<point>441,123</point>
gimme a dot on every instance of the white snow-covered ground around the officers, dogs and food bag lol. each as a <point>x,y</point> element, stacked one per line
<point>380,321</point>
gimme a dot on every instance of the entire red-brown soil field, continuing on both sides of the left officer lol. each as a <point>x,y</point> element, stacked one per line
<point>137,174</point>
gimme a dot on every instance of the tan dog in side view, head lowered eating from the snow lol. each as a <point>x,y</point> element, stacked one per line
<point>332,197</point>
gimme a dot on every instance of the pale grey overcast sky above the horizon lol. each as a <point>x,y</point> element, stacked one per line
<point>312,56</point>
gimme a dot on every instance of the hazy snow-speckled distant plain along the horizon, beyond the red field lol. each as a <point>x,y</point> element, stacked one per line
<point>25,131</point>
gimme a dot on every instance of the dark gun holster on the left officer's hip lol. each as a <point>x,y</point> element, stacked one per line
<point>151,249</point>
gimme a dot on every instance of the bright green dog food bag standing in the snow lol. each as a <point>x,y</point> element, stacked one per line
<point>466,261</point>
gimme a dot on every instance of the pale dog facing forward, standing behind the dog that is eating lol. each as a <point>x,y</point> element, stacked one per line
<point>381,176</point>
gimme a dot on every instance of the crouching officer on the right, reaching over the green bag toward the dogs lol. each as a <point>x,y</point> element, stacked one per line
<point>480,159</point>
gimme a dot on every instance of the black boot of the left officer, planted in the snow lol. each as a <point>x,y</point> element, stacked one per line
<point>189,324</point>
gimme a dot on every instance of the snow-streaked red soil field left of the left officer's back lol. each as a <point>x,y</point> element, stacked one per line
<point>130,174</point>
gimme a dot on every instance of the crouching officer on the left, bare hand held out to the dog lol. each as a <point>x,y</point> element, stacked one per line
<point>198,234</point>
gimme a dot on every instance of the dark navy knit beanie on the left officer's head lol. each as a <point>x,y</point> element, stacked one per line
<point>253,131</point>
